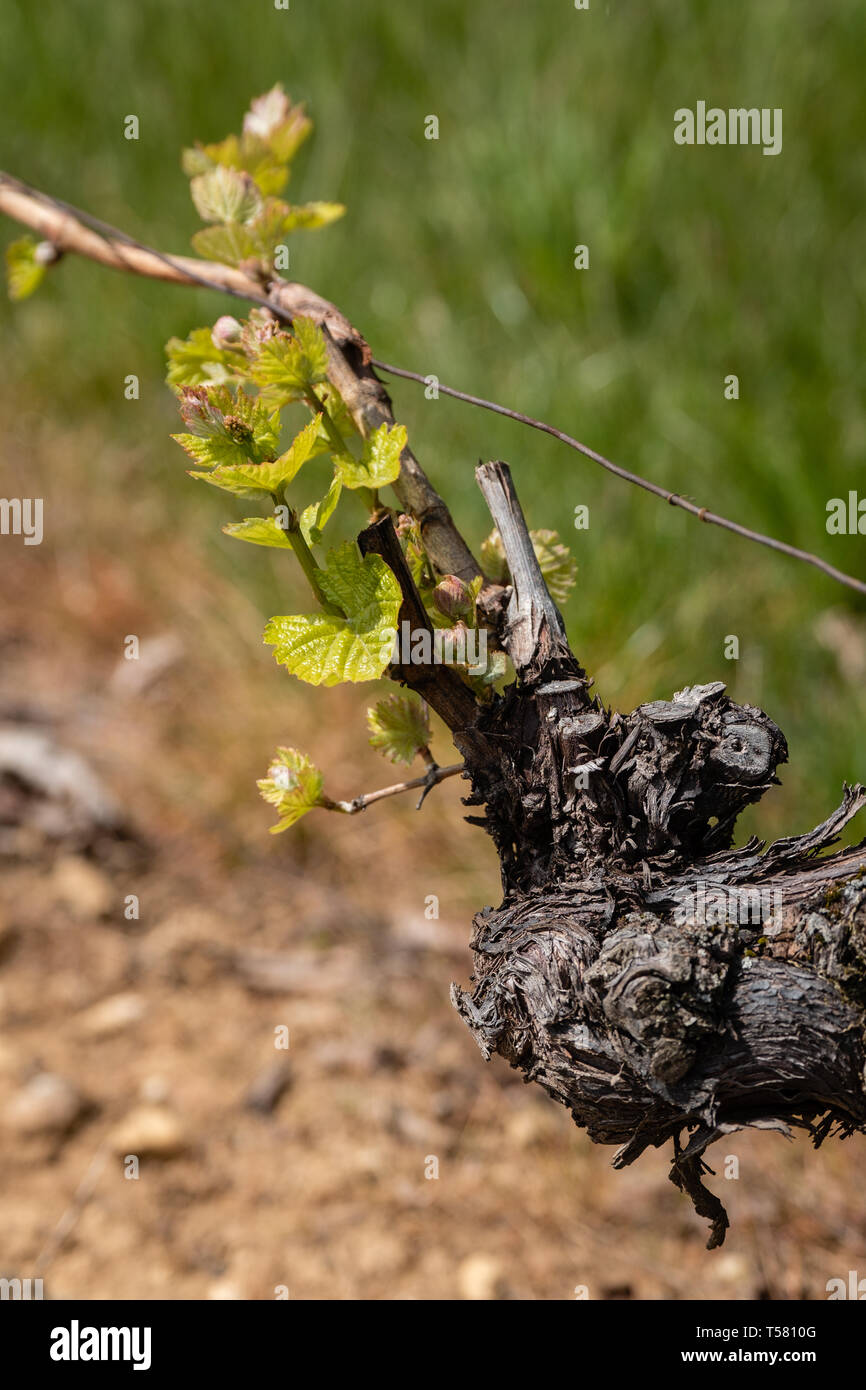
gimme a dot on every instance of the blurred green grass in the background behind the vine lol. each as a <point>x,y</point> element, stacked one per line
<point>457,258</point>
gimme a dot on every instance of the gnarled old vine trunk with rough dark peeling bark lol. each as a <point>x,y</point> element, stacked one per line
<point>655,981</point>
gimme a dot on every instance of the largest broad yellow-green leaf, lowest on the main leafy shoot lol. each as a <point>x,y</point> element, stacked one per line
<point>325,650</point>
